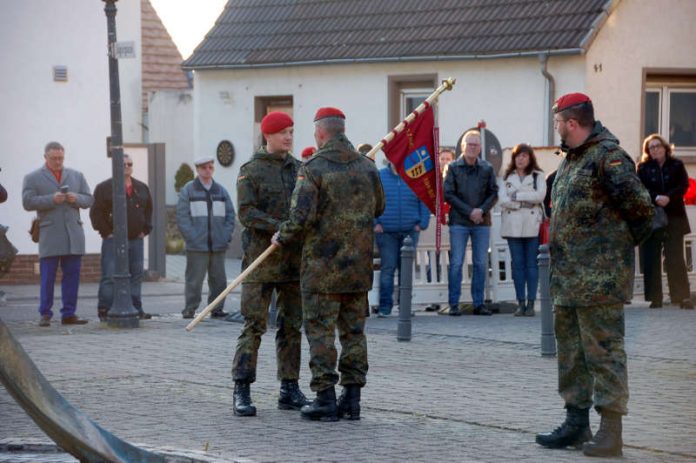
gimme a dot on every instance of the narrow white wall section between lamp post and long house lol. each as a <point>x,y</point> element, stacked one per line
<point>171,122</point>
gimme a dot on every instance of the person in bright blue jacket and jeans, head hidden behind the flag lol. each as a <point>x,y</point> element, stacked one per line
<point>404,215</point>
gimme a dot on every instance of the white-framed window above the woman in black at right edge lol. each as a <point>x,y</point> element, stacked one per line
<point>670,110</point>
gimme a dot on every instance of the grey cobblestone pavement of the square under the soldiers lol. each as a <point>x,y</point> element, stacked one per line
<point>465,389</point>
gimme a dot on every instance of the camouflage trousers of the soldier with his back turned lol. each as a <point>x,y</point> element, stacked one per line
<point>323,313</point>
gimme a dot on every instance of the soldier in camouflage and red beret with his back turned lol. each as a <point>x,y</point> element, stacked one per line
<point>337,196</point>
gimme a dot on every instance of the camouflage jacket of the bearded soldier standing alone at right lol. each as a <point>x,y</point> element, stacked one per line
<point>600,211</point>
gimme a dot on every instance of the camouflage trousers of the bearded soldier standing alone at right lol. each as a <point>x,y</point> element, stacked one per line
<point>591,357</point>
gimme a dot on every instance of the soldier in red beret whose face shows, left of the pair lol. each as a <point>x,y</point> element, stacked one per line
<point>264,189</point>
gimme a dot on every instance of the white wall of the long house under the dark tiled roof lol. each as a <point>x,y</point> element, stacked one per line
<point>508,93</point>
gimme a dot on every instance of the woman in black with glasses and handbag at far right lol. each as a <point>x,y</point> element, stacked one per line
<point>667,181</point>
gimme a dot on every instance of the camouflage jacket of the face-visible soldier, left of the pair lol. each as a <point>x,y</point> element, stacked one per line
<point>264,190</point>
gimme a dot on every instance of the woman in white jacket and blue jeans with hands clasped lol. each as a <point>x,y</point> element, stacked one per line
<point>520,197</point>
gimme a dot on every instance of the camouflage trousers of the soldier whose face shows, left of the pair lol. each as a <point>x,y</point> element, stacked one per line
<point>256,298</point>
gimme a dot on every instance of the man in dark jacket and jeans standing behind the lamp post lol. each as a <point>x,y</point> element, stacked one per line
<point>139,217</point>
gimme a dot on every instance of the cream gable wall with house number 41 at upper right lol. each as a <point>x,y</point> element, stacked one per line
<point>639,34</point>
